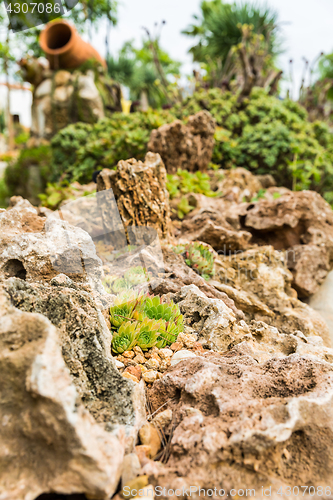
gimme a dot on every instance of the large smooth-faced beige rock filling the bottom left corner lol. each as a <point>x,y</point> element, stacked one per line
<point>49,441</point>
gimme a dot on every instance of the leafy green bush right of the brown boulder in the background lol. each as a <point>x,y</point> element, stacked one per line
<point>267,135</point>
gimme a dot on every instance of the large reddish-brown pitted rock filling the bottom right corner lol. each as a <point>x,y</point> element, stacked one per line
<point>241,425</point>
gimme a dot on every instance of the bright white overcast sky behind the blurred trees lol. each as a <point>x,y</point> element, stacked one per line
<point>307,28</point>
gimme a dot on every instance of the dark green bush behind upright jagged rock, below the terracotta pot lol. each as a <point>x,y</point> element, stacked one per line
<point>80,149</point>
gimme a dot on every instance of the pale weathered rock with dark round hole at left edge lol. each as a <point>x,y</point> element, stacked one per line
<point>34,250</point>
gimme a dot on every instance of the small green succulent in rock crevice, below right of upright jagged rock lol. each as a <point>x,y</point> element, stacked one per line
<point>199,257</point>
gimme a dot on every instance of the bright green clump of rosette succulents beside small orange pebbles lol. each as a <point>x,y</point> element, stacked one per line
<point>145,321</point>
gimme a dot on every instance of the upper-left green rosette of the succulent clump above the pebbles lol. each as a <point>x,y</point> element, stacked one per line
<point>127,306</point>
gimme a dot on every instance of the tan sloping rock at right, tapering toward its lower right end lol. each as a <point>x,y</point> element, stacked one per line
<point>260,284</point>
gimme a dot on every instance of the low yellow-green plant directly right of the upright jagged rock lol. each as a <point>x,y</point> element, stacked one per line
<point>184,182</point>
